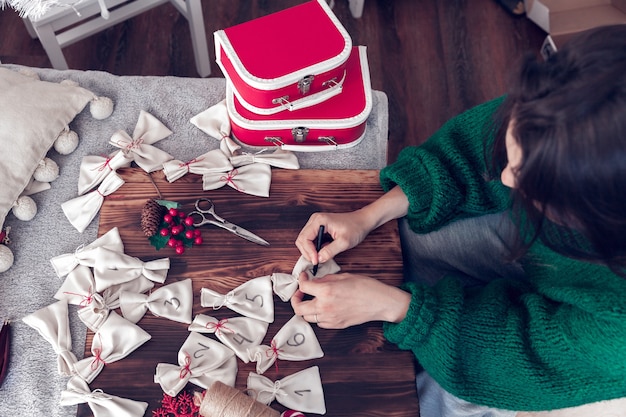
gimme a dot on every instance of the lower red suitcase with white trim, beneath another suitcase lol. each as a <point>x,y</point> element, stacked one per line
<point>338,122</point>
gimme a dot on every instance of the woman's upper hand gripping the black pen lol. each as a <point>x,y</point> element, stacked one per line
<point>346,229</point>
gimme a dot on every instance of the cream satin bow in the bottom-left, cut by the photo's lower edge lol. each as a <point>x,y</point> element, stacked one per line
<point>101,404</point>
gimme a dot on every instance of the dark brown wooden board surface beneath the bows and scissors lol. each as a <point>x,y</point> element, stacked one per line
<point>362,373</point>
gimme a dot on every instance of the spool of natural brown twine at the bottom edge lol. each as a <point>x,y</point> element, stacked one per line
<point>221,400</point>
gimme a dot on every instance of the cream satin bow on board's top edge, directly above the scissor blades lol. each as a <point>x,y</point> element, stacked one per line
<point>252,179</point>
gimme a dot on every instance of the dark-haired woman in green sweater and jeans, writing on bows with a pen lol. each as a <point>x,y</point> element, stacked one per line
<point>514,245</point>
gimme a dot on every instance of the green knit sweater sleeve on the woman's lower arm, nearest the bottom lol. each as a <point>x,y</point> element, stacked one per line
<point>552,342</point>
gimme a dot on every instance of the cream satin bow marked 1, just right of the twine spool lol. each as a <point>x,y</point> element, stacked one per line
<point>299,391</point>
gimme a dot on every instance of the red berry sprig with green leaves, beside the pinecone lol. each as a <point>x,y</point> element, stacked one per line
<point>176,231</point>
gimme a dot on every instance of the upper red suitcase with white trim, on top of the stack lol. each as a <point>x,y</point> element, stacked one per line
<point>287,60</point>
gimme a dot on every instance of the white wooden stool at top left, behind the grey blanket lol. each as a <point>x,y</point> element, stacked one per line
<point>61,26</point>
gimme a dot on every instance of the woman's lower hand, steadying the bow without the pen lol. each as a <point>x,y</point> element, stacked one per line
<point>344,300</point>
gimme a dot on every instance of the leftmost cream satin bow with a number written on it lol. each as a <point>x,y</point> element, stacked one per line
<point>173,301</point>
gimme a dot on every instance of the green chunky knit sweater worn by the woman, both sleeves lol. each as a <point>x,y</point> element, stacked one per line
<point>557,340</point>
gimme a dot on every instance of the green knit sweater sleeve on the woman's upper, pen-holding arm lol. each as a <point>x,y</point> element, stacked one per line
<point>445,177</point>
